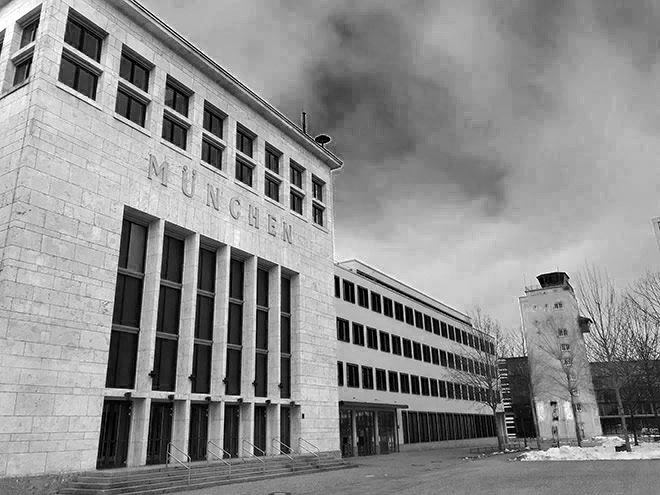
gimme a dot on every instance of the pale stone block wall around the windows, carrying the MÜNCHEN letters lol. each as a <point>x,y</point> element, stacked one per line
<point>69,169</point>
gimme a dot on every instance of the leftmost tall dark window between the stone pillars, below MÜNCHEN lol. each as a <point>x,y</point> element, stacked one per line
<point>128,307</point>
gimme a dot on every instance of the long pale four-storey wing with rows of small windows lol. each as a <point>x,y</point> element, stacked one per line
<point>404,362</point>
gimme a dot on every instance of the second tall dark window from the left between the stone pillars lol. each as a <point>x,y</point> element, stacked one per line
<point>169,307</point>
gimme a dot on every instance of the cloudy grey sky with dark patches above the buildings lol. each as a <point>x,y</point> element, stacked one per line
<point>485,141</point>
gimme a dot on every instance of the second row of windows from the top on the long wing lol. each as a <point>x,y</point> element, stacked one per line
<point>351,331</point>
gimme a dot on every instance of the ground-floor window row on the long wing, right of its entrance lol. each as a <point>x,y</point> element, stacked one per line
<point>421,427</point>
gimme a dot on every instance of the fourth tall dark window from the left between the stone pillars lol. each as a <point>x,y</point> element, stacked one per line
<point>235,328</point>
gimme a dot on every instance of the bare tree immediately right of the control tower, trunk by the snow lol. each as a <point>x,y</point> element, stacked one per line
<point>608,341</point>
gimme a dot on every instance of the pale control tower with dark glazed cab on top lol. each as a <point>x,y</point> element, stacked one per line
<point>560,374</point>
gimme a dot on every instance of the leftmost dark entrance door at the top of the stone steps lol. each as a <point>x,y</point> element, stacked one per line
<point>113,441</point>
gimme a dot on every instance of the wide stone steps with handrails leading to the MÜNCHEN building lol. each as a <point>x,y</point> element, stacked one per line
<point>191,476</point>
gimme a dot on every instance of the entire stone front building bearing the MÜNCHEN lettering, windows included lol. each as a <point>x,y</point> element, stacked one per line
<point>166,250</point>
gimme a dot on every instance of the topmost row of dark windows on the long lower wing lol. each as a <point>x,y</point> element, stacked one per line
<point>400,312</point>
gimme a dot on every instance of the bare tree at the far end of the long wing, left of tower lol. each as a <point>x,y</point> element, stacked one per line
<point>478,368</point>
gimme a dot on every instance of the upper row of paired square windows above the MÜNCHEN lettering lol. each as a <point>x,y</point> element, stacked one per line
<point>80,70</point>
